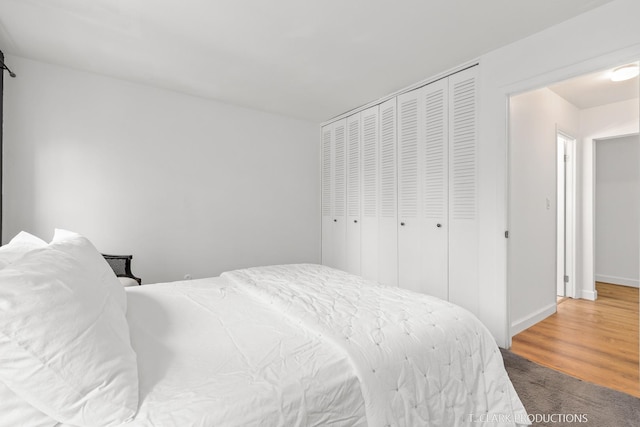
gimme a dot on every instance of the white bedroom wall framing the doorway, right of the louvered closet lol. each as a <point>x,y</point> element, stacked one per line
<point>589,42</point>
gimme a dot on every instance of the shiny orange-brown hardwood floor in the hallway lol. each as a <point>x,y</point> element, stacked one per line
<point>596,341</point>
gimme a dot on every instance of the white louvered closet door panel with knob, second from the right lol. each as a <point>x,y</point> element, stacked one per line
<point>434,192</point>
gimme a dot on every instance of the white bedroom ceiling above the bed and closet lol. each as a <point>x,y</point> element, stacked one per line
<point>307,59</point>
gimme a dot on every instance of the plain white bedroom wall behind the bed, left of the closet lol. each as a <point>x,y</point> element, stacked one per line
<point>186,185</point>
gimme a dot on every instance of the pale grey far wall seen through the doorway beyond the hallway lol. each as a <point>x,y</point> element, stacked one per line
<point>617,215</point>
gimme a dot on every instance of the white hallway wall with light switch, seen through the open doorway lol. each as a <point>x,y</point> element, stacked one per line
<point>535,118</point>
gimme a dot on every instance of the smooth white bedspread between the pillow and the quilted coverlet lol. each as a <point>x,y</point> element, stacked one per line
<point>210,356</point>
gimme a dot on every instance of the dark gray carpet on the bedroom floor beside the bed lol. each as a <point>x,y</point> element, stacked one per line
<point>545,391</point>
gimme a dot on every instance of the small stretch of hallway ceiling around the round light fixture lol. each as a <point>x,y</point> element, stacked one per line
<point>593,90</point>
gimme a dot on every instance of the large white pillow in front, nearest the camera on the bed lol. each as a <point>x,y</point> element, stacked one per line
<point>64,338</point>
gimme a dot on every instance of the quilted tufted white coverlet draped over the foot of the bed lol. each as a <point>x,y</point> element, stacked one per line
<point>420,360</point>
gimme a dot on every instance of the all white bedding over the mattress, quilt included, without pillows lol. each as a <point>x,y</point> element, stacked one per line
<point>306,345</point>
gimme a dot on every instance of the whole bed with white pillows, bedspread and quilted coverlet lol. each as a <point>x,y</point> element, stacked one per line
<point>289,345</point>
